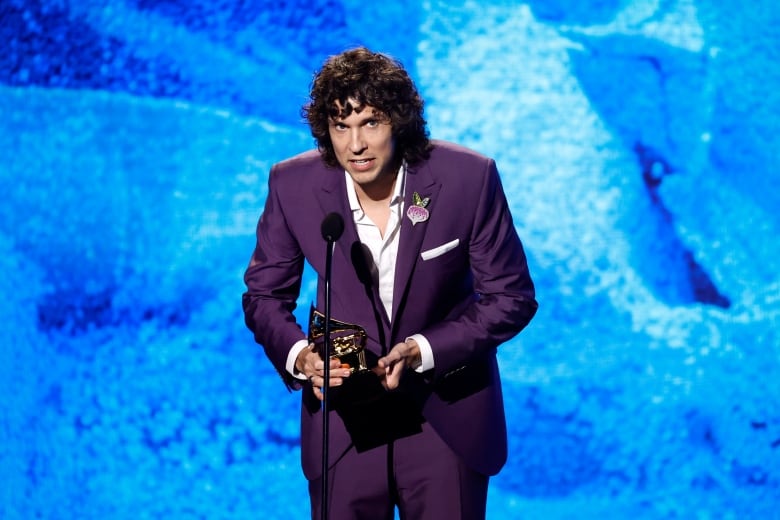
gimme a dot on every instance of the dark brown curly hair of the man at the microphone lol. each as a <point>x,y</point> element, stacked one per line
<point>371,79</point>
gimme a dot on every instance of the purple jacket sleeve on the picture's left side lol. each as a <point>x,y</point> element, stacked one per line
<point>273,282</point>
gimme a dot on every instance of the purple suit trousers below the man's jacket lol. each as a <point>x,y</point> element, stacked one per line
<point>418,474</point>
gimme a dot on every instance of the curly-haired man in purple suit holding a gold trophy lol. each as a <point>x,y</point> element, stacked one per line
<point>429,264</point>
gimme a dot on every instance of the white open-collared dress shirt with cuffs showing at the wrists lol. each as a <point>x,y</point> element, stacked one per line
<point>384,250</point>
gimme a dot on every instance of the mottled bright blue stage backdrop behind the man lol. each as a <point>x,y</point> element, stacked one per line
<point>637,141</point>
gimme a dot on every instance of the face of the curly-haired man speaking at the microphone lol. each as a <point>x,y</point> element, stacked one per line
<point>365,148</point>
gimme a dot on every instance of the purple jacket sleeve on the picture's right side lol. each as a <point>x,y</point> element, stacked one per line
<point>504,301</point>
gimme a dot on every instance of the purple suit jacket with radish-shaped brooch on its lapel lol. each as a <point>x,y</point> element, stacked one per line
<point>466,301</point>
